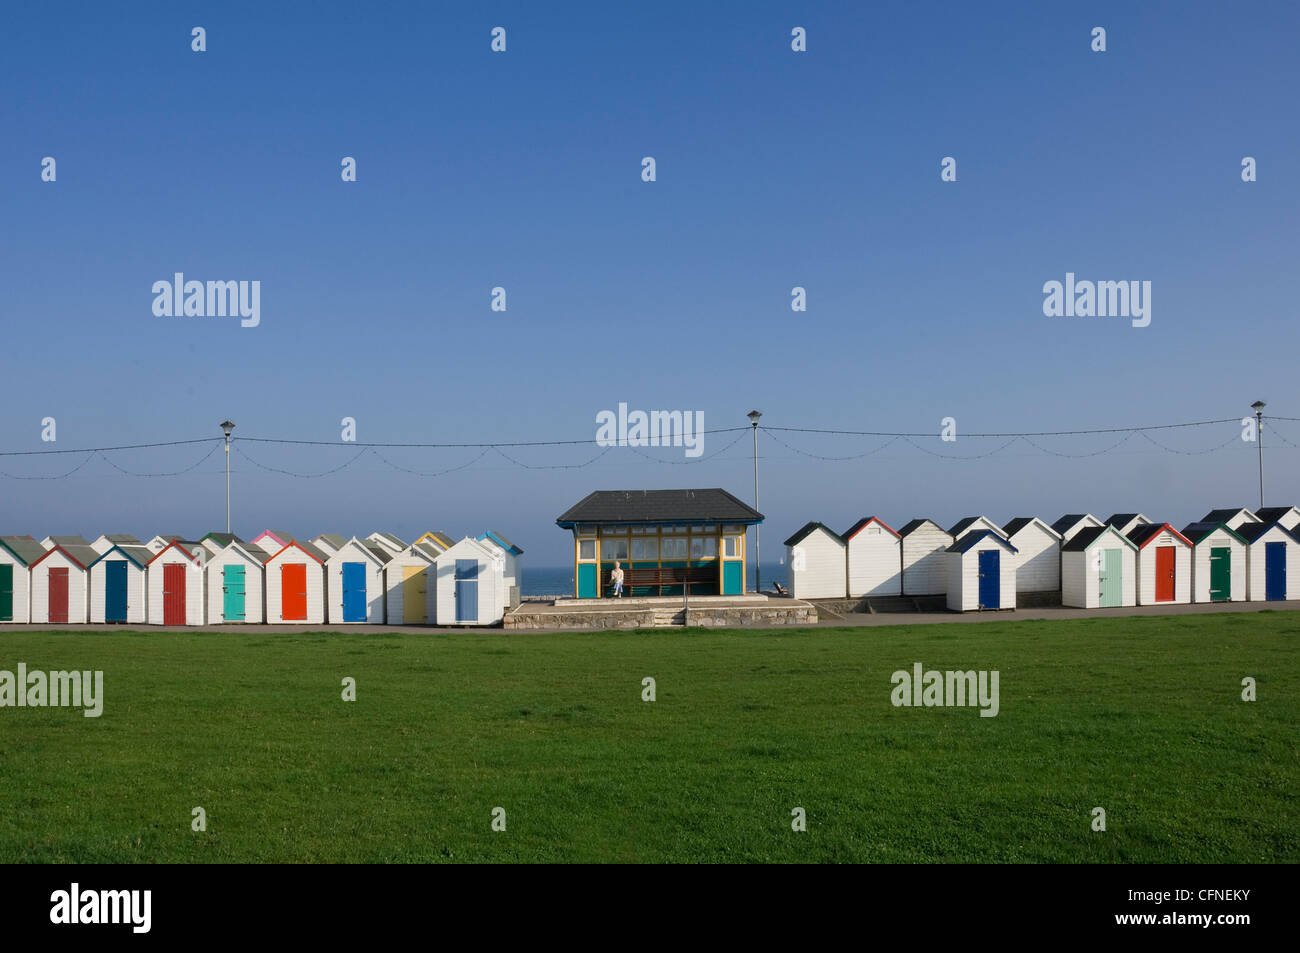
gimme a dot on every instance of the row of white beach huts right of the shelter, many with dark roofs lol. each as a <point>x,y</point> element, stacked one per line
<point>1125,561</point>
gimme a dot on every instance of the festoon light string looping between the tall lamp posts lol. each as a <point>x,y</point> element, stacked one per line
<point>506,450</point>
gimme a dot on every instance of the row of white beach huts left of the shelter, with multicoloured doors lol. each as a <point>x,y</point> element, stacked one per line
<point>271,579</point>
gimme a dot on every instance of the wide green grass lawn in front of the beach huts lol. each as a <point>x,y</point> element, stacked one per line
<point>1142,717</point>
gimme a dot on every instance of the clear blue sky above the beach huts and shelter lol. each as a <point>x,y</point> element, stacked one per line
<point>522,170</point>
